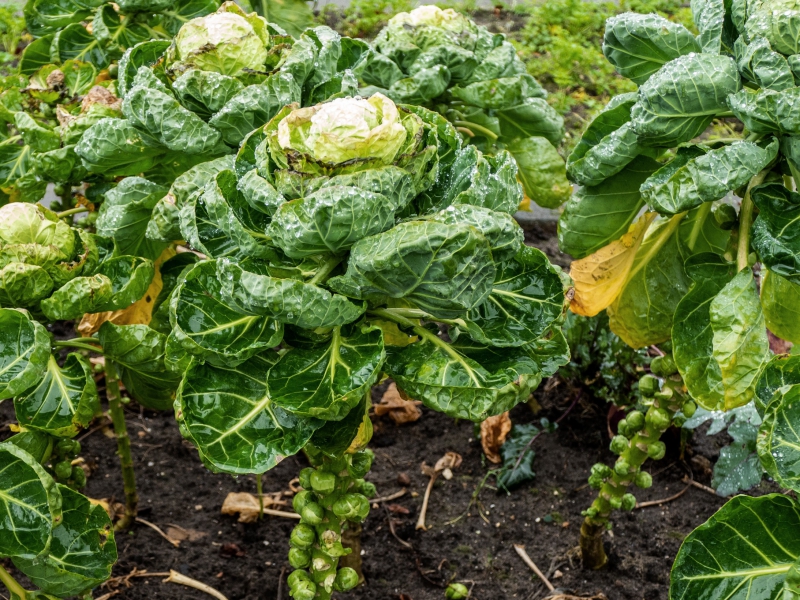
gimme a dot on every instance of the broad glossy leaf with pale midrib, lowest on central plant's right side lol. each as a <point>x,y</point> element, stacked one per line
<point>447,380</point>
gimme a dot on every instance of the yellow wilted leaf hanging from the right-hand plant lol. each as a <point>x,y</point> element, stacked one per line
<point>599,278</point>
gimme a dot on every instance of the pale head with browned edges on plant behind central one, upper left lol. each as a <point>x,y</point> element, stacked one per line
<point>227,42</point>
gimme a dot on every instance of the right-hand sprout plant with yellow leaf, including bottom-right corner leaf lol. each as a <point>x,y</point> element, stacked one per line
<point>667,247</point>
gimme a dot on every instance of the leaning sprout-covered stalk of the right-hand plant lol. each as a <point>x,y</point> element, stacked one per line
<point>638,439</point>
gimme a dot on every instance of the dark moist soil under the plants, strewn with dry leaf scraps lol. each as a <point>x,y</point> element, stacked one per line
<point>248,561</point>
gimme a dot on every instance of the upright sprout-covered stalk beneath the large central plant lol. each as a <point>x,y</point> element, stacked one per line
<point>332,496</point>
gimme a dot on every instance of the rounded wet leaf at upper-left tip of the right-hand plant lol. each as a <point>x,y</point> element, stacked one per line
<point>639,45</point>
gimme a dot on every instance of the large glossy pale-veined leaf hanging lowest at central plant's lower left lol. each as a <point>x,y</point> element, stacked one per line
<point>228,414</point>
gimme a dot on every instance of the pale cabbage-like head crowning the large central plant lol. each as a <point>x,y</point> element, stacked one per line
<point>345,129</point>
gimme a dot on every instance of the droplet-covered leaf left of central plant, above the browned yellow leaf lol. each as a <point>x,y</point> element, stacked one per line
<point>125,214</point>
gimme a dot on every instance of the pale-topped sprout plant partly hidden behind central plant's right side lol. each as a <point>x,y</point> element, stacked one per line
<point>442,60</point>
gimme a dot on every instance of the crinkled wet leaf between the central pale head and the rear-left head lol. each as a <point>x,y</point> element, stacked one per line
<point>254,106</point>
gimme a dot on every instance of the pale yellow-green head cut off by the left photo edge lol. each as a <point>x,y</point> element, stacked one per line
<point>23,223</point>
